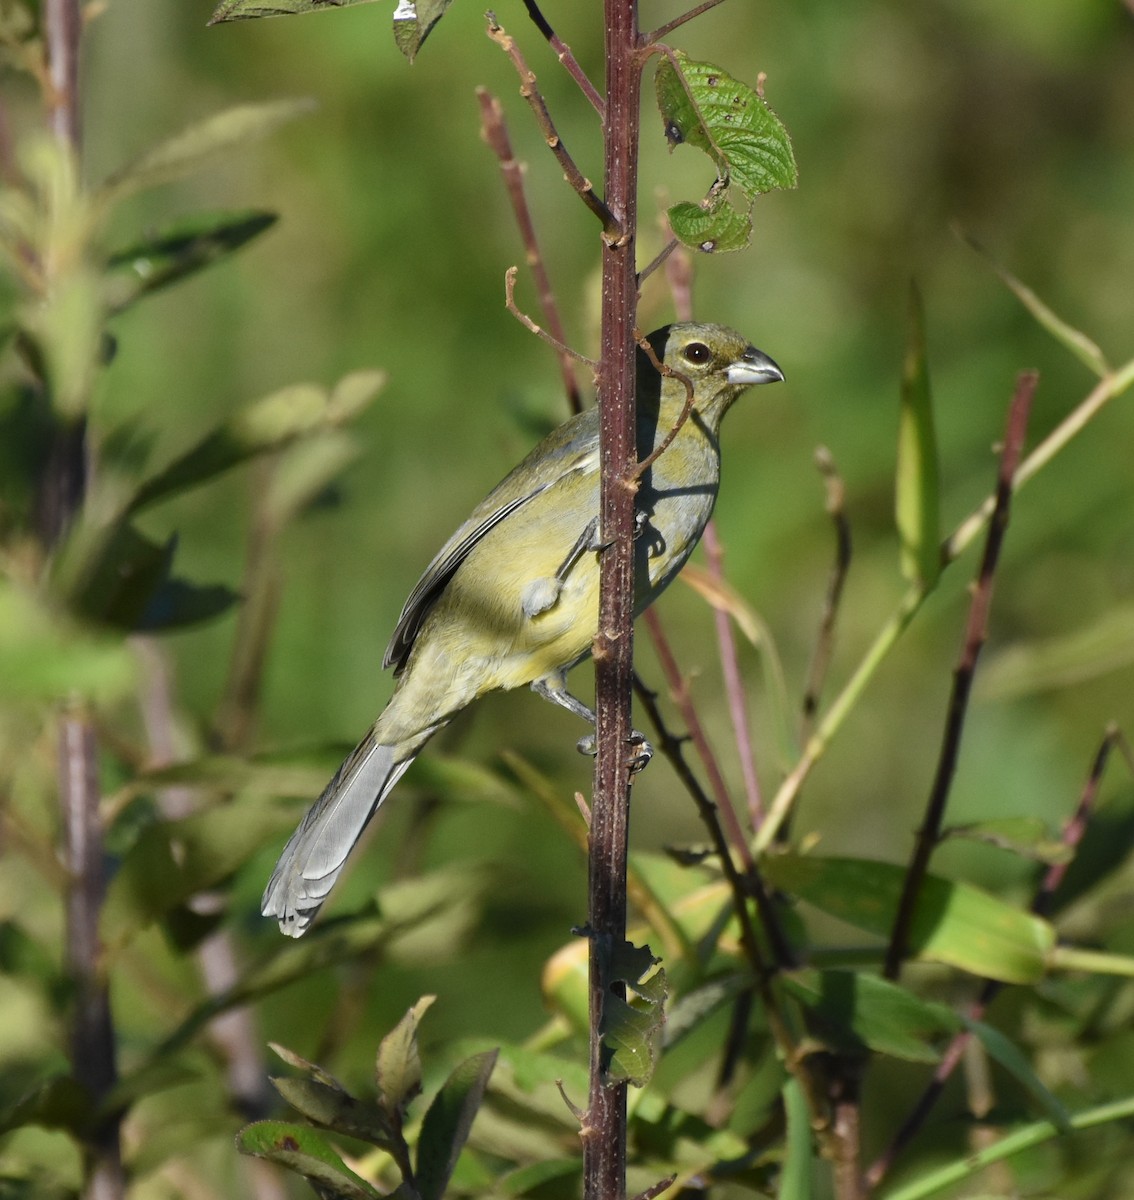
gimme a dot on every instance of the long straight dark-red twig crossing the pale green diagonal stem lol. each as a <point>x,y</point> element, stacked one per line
<point>976,632</point>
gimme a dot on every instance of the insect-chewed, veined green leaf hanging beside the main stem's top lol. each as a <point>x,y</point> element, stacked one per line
<point>704,106</point>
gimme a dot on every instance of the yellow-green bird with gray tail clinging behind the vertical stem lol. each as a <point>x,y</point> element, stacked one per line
<point>513,597</point>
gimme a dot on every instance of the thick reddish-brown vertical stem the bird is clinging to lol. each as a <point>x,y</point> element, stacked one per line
<point>605,1137</point>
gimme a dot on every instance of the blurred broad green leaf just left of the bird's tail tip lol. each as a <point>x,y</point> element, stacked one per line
<point>172,861</point>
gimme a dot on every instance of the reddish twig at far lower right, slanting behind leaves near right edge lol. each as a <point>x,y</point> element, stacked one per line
<point>1073,833</point>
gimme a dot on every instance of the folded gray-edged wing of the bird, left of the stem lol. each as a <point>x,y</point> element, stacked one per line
<point>567,452</point>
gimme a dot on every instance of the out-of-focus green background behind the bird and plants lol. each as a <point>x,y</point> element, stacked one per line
<point>1013,122</point>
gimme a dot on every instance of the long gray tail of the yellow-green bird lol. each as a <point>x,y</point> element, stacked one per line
<point>314,859</point>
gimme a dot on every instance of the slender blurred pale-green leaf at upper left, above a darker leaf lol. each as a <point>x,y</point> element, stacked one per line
<point>196,147</point>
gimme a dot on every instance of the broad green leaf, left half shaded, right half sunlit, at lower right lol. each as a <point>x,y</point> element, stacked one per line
<point>953,923</point>
